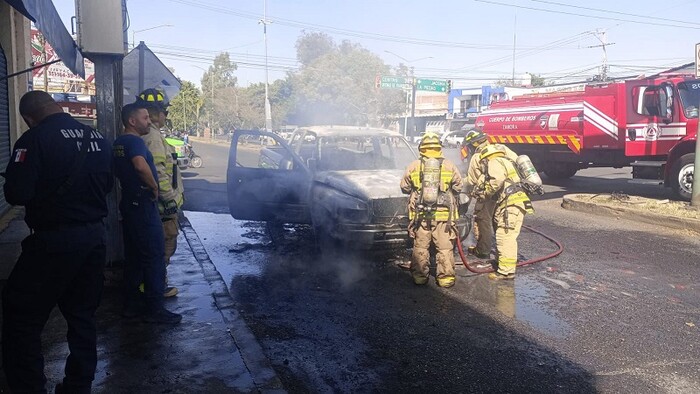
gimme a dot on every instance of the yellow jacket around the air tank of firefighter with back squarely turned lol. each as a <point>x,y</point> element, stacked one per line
<point>450,184</point>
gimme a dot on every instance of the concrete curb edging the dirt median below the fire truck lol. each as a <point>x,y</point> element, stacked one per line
<point>678,223</point>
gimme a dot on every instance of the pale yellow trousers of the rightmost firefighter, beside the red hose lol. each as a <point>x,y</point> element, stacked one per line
<point>507,232</point>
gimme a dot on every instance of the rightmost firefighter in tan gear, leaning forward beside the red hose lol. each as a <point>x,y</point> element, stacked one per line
<point>499,181</point>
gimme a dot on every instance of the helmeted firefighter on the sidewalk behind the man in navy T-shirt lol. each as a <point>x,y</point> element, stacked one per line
<point>170,189</point>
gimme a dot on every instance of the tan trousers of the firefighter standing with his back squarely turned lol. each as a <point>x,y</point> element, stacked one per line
<point>442,236</point>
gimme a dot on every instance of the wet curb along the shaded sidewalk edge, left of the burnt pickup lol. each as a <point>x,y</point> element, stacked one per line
<point>258,365</point>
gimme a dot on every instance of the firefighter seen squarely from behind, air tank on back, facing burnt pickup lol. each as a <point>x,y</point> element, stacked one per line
<point>432,183</point>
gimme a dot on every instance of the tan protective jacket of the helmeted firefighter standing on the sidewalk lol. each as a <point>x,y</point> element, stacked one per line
<point>163,161</point>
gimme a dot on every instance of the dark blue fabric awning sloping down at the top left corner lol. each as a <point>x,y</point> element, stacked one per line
<point>46,18</point>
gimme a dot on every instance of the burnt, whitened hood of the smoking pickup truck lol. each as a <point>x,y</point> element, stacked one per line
<point>366,184</point>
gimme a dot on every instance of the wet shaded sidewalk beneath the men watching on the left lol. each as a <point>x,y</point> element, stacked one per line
<point>211,351</point>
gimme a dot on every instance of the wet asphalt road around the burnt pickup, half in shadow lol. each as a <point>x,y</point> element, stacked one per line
<point>618,311</point>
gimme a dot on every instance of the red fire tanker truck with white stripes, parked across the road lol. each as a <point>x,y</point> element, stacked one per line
<point>649,124</point>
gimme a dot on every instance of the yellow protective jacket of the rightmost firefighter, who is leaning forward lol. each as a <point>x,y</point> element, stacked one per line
<point>499,182</point>
